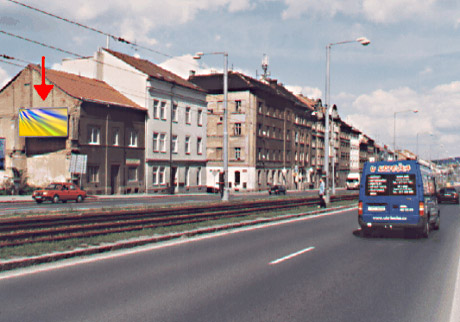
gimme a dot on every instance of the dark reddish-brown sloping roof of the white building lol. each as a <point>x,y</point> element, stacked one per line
<point>153,70</point>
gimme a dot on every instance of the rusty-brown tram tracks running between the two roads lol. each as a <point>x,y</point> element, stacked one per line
<point>50,228</point>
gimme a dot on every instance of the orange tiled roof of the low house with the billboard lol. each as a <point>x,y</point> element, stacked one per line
<point>87,89</point>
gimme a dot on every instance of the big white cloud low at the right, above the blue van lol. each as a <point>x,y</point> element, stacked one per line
<point>438,109</point>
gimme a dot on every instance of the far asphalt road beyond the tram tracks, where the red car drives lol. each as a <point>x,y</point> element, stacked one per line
<point>90,204</point>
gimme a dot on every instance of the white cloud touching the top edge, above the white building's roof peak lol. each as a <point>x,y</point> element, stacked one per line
<point>135,20</point>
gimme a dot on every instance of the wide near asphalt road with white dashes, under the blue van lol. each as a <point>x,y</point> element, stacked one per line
<point>249,276</point>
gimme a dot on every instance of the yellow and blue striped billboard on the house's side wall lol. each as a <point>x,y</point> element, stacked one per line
<point>43,122</point>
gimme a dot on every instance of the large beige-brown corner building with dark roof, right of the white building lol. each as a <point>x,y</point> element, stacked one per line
<point>270,133</point>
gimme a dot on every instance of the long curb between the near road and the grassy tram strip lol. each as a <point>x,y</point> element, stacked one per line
<point>21,263</point>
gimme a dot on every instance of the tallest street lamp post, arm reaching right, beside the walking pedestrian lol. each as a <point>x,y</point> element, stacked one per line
<point>363,41</point>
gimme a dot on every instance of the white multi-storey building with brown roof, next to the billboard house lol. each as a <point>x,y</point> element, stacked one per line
<point>175,130</point>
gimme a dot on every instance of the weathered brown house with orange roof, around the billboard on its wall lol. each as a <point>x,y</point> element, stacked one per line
<point>103,125</point>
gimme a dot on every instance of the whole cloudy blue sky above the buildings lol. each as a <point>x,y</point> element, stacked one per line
<point>412,63</point>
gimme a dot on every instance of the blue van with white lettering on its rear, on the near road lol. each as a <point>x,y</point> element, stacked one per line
<point>398,194</point>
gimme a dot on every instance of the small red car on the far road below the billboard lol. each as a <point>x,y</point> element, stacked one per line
<point>59,191</point>
